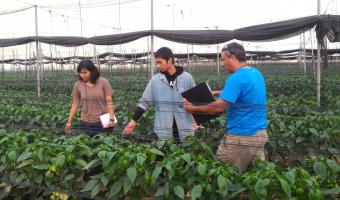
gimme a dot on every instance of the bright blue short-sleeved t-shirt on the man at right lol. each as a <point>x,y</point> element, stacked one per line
<point>245,91</point>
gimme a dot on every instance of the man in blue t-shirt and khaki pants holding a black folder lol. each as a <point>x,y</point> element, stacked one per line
<point>244,98</point>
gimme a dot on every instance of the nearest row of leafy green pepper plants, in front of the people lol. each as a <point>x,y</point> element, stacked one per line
<point>109,167</point>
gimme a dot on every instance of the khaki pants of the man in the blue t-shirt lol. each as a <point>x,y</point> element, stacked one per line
<point>240,150</point>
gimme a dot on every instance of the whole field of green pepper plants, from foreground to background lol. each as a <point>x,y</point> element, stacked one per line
<point>297,127</point>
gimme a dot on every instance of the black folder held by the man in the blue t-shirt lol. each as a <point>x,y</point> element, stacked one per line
<point>200,95</point>
